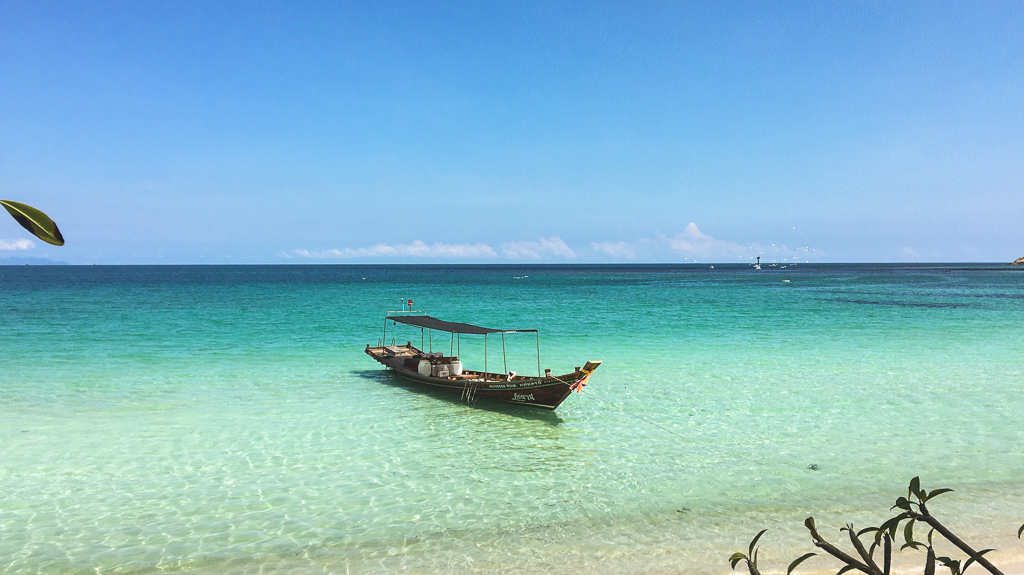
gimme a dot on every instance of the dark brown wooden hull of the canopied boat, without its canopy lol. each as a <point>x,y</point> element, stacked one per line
<point>543,393</point>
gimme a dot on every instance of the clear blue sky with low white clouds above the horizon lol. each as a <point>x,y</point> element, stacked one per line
<point>198,132</point>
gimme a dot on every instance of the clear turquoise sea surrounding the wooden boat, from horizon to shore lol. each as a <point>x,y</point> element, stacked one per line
<point>225,420</point>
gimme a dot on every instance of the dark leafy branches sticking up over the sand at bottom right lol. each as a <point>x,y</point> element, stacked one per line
<point>913,511</point>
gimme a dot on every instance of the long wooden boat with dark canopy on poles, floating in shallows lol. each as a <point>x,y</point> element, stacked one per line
<point>447,374</point>
